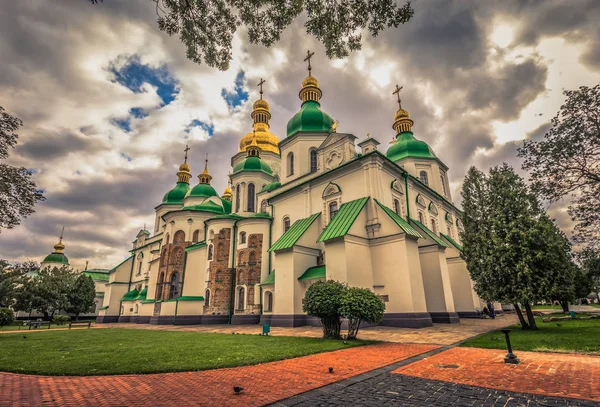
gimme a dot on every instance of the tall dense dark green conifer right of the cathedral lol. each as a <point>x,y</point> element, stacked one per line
<point>514,252</point>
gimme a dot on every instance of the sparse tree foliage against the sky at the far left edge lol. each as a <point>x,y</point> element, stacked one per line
<point>18,193</point>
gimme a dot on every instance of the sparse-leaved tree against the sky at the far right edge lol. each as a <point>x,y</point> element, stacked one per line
<point>567,161</point>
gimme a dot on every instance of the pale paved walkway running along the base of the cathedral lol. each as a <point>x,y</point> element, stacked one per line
<point>439,334</point>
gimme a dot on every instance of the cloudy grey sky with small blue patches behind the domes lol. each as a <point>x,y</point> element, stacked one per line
<point>109,102</point>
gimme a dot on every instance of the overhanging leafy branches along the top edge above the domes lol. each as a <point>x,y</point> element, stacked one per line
<point>207,27</point>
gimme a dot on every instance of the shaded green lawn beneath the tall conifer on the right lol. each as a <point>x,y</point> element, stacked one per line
<point>557,336</point>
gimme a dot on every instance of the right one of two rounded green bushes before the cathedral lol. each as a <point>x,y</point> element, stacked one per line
<point>360,305</point>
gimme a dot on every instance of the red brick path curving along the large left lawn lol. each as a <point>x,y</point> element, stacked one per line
<point>263,384</point>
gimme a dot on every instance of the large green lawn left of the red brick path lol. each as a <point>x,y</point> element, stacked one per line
<point>121,351</point>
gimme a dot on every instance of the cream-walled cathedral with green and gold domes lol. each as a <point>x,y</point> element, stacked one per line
<point>315,205</point>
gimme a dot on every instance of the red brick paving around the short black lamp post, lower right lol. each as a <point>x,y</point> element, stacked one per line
<point>549,374</point>
